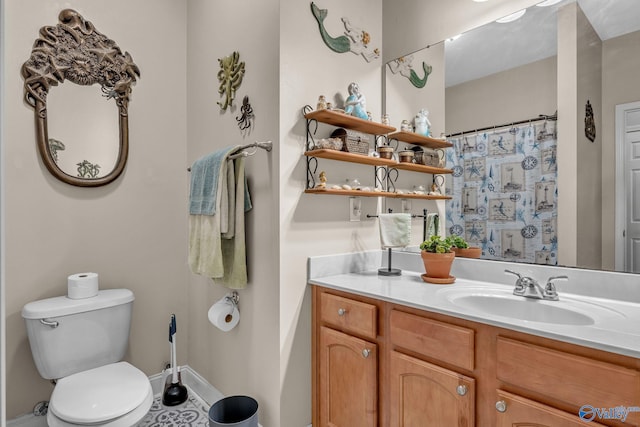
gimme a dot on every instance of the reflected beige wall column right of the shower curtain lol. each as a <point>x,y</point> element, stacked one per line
<point>579,176</point>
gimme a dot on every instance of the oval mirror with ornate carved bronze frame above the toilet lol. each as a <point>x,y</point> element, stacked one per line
<point>75,51</point>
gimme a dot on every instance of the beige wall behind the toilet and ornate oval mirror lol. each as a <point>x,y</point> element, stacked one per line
<point>132,232</point>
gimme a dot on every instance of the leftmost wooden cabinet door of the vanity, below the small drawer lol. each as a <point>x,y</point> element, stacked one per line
<point>348,380</point>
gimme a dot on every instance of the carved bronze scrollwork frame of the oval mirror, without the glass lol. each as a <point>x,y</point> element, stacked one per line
<point>74,50</point>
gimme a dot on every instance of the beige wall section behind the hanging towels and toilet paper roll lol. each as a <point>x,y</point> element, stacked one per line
<point>246,359</point>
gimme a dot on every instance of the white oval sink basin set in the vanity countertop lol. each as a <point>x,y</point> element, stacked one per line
<point>502,302</point>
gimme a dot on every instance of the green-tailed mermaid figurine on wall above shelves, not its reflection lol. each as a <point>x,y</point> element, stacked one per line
<point>354,40</point>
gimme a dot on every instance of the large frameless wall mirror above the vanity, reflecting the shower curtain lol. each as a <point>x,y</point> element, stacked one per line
<point>574,60</point>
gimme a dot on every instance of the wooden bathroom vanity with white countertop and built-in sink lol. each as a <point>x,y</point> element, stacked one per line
<point>401,352</point>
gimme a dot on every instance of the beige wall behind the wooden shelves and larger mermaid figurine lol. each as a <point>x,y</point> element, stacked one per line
<point>313,224</point>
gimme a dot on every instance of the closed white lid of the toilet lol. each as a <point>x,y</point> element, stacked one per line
<point>99,394</point>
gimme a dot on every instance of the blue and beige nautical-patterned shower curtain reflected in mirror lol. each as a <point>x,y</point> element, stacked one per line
<point>504,193</point>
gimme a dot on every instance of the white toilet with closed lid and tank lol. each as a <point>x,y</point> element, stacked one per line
<point>80,343</point>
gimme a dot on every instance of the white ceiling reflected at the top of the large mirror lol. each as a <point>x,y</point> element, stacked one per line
<point>496,47</point>
